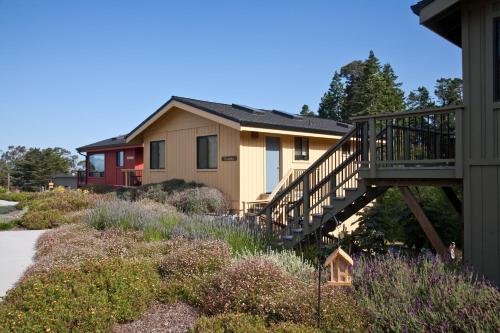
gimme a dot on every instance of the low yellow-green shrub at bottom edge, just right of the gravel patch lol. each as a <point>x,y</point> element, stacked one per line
<point>230,323</point>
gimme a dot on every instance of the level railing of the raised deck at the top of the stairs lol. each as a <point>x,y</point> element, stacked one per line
<point>414,139</point>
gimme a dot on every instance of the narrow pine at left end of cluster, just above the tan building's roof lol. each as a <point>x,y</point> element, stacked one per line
<point>332,102</point>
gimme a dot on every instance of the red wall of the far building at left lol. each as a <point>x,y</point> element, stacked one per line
<point>113,174</point>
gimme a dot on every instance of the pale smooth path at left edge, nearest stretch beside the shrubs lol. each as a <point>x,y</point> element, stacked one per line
<point>17,249</point>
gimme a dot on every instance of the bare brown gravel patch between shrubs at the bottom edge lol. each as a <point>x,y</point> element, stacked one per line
<point>162,318</point>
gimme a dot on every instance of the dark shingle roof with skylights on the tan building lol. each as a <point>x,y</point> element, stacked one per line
<point>262,118</point>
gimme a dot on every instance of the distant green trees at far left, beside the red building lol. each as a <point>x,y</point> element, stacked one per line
<point>34,167</point>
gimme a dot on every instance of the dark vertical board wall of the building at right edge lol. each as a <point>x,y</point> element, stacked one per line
<point>481,140</point>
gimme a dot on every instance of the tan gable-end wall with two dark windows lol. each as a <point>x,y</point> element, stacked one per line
<point>180,129</point>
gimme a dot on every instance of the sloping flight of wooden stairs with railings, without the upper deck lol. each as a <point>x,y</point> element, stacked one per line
<point>323,196</point>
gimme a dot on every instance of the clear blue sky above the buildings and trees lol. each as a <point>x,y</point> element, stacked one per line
<point>75,72</point>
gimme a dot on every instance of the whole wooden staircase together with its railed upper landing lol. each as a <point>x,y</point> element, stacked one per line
<point>380,151</point>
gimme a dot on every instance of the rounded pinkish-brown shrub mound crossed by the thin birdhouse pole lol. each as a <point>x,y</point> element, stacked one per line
<point>258,286</point>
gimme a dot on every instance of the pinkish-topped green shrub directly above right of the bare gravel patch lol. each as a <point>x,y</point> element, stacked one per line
<point>189,265</point>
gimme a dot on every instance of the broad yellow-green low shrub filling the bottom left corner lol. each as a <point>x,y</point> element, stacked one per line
<point>91,299</point>
